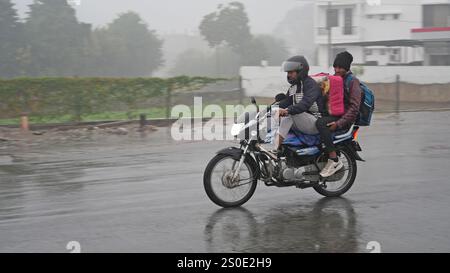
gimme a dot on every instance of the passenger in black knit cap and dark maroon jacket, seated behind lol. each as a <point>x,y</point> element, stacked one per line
<point>328,124</point>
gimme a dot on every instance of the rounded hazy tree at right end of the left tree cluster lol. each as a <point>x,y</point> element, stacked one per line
<point>125,48</point>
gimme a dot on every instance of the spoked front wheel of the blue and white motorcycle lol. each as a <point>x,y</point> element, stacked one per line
<point>226,188</point>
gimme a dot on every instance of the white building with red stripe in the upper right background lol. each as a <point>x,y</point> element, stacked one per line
<point>383,32</point>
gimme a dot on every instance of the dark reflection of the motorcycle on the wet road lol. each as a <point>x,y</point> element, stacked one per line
<point>328,225</point>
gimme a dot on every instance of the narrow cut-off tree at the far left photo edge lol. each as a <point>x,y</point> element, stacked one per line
<point>10,40</point>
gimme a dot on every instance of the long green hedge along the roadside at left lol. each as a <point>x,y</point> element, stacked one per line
<point>83,96</point>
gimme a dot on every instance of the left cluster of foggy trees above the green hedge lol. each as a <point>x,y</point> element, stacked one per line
<point>53,43</point>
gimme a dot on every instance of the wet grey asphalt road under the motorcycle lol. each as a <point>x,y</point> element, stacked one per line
<point>126,194</point>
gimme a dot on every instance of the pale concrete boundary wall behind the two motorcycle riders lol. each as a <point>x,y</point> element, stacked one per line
<point>419,83</point>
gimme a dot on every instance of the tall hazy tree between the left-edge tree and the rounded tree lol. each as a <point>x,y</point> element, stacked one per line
<point>57,41</point>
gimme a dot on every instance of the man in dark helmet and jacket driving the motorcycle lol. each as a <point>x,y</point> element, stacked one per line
<point>303,103</point>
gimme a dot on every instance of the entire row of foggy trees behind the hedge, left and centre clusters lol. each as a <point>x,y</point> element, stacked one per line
<point>51,42</point>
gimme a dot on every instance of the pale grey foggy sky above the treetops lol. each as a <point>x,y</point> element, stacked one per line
<point>177,16</point>
